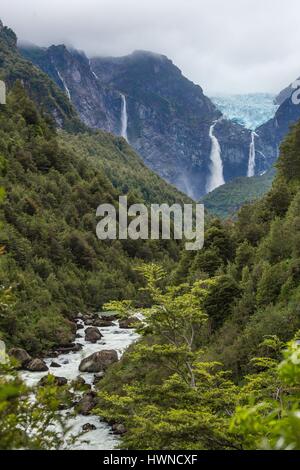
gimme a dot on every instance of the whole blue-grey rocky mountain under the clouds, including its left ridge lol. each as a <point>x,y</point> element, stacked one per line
<point>167,118</point>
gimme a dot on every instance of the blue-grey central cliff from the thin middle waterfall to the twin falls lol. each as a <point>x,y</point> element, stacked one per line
<point>169,120</point>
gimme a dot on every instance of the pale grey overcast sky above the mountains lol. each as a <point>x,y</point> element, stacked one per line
<point>232,46</point>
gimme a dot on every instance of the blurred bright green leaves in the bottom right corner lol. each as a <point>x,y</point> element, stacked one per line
<point>272,420</point>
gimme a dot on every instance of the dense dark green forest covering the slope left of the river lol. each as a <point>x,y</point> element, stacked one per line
<point>54,262</point>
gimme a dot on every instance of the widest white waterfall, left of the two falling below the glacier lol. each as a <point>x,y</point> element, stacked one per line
<point>216,178</point>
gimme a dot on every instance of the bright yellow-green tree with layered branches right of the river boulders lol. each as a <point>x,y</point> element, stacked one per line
<point>175,316</point>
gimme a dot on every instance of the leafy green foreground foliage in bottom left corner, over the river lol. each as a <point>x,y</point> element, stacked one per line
<point>30,418</point>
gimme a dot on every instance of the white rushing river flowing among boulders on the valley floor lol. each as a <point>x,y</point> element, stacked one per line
<point>113,338</point>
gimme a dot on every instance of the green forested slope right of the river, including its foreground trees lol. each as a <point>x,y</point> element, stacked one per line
<point>213,370</point>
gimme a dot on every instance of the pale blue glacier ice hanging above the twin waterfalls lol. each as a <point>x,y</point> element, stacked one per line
<point>250,110</point>
